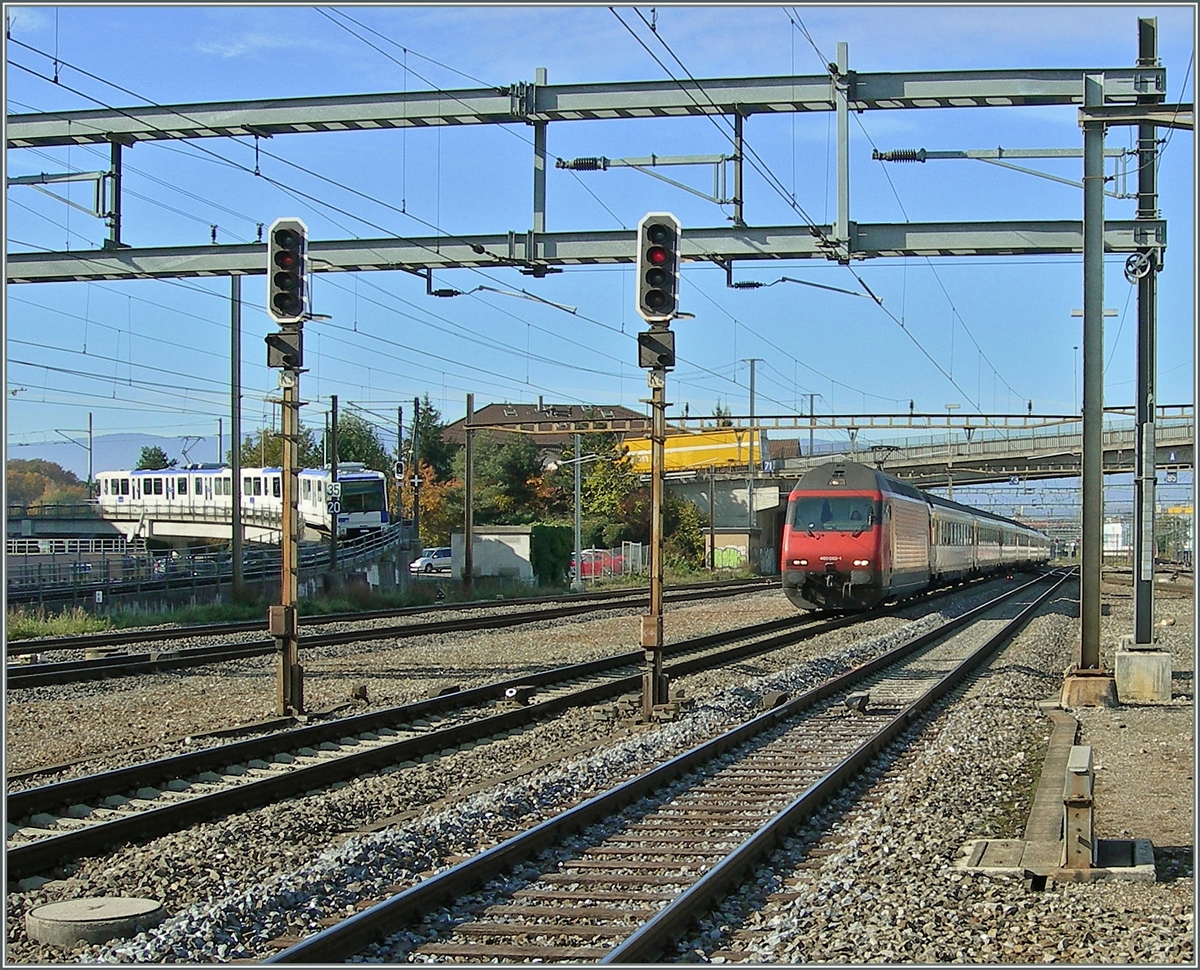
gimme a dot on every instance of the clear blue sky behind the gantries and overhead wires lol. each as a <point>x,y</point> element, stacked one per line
<point>153,356</point>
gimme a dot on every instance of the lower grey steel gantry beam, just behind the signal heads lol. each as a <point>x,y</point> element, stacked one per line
<point>1034,238</point>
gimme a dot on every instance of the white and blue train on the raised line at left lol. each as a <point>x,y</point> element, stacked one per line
<point>195,489</point>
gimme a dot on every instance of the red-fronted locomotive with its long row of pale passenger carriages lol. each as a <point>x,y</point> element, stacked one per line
<point>856,537</point>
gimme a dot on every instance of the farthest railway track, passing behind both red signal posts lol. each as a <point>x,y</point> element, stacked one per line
<point>128,664</point>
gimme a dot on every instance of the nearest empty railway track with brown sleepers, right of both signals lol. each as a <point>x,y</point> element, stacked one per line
<point>622,876</point>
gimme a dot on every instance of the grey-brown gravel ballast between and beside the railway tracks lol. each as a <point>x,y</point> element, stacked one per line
<point>235,884</point>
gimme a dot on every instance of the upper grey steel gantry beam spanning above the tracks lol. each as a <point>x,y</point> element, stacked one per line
<point>529,104</point>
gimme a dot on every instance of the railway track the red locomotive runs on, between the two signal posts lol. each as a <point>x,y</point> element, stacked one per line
<point>52,824</point>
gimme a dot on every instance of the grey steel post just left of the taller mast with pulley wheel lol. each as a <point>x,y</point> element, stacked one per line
<point>1094,379</point>
